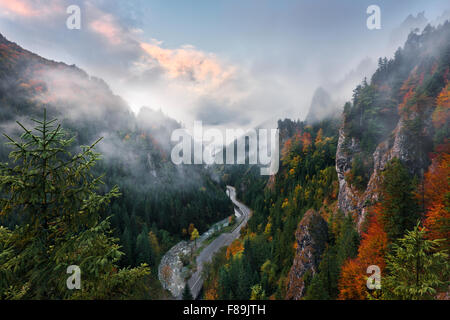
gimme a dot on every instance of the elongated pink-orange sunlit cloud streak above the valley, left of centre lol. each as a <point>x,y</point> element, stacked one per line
<point>198,70</point>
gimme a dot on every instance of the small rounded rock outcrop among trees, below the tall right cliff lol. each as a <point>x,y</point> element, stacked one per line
<point>311,237</point>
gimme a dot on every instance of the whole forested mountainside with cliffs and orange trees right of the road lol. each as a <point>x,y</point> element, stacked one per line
<point>370,188</point>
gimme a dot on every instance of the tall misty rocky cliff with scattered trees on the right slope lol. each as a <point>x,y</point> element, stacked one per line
<point>396,111</point>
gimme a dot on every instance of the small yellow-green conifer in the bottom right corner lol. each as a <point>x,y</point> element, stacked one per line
<point>417,268</point>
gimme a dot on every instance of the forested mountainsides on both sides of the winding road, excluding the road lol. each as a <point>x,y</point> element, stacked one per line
<point>86,182</point>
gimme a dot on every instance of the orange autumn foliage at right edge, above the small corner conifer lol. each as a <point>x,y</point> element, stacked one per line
<point>437,199</point>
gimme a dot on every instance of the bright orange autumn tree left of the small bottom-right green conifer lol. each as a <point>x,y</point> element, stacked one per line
<point>372,250</point>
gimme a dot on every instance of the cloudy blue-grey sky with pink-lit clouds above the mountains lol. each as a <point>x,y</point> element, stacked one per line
<point>229,63</point>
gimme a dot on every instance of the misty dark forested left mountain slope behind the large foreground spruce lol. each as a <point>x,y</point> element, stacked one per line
<point>159,200</point>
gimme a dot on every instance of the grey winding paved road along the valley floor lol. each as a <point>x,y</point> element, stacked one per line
<point>225,239</point>
